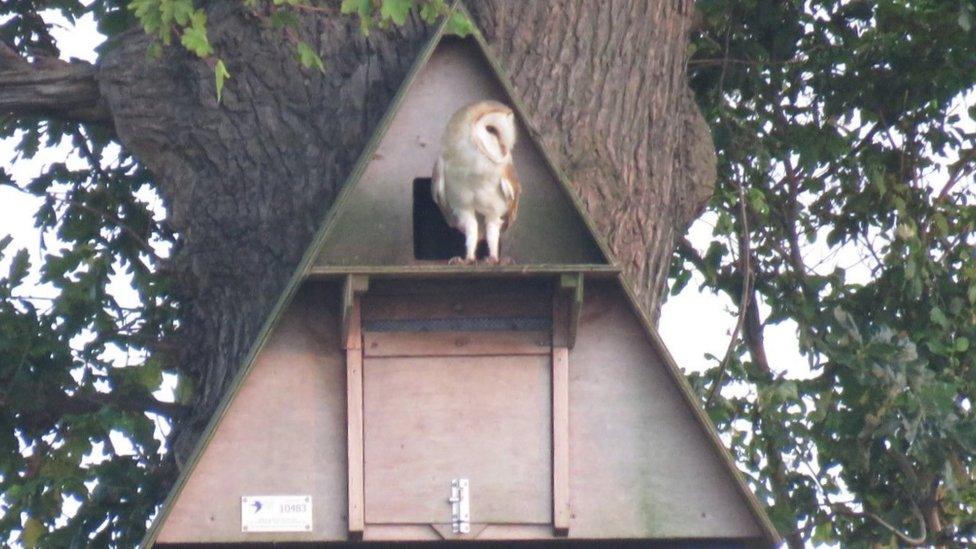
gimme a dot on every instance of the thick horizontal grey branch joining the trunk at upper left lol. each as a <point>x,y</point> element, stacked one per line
<point>49,87</point>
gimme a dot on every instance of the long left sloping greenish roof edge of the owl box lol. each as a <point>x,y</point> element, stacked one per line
<point>293,284</point>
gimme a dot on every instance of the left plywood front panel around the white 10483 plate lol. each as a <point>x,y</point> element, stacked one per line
<point>284,434</point>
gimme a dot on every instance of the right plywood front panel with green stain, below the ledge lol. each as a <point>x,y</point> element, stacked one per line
<point>640,463</point>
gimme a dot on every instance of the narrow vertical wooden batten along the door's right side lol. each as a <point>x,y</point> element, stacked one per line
<point>560,440</point>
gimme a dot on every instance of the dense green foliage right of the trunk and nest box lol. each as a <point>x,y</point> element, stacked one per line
<point>846,134</point>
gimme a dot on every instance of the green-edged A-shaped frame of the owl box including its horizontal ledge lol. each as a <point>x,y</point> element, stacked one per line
<point>315,263</point>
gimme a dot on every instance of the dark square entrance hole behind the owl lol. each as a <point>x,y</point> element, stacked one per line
<point>433,238</point>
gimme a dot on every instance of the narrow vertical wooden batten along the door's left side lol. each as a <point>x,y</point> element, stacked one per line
<point>354,441</point>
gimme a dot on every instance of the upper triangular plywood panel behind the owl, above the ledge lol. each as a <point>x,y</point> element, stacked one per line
<point>368,228</point>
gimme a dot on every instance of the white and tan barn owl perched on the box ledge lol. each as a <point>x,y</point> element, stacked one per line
<point>474,181</point>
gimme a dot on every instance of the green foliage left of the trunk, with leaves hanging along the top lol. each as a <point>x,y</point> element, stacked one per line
<point>81,365</point>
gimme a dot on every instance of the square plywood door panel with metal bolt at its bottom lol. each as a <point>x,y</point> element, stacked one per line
<point>430,420</point>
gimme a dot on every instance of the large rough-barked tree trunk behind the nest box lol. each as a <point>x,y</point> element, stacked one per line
<point>248,181</point>
